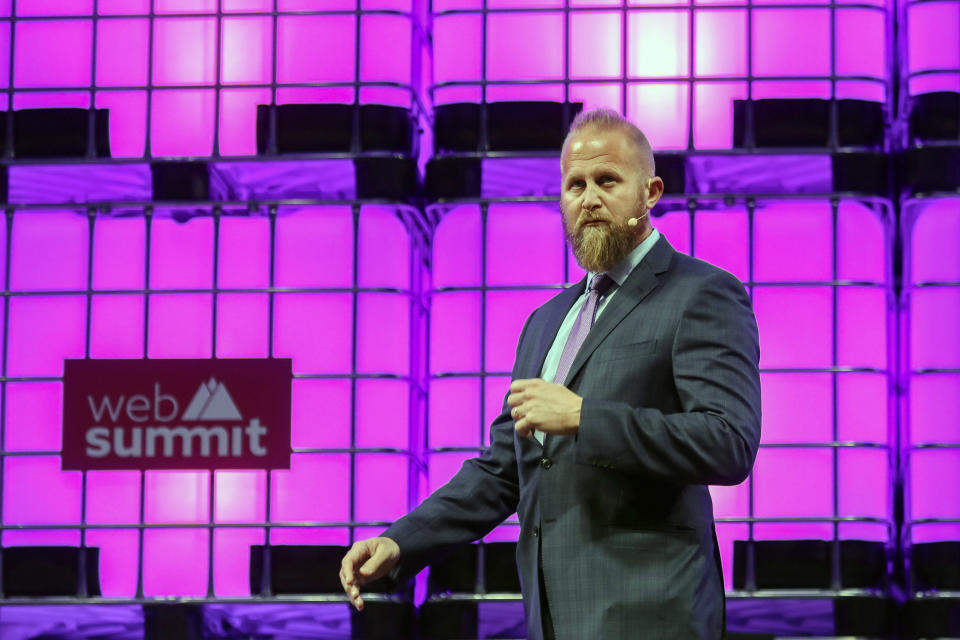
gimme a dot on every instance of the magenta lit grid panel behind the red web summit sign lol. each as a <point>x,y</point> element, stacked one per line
<point>332,287</point>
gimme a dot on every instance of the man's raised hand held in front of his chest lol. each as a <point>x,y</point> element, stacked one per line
<point>549,407</point>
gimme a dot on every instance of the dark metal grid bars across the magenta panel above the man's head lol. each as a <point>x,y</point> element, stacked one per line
<point>624,81</point>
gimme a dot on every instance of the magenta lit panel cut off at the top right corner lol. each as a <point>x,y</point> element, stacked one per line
<point>930,46</point>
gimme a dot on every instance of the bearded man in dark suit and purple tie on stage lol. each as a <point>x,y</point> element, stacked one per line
<point>631,392</point>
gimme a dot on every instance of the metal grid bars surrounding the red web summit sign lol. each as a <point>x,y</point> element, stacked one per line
<point>417,390</point>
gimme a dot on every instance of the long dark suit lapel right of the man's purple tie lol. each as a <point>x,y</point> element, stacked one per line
<point>638,285</point>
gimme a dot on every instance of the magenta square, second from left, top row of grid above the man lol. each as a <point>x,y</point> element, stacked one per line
<point>524,46</point>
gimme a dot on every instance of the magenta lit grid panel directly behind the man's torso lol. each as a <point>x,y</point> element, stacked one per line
<point>819,274</point>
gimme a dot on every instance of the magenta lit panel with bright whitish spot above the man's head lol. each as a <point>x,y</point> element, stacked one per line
<point>674,66</point>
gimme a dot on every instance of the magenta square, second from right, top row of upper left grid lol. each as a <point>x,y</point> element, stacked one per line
<point>303,40</point>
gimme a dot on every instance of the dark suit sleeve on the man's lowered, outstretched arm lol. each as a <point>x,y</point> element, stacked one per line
<point>479,497</point>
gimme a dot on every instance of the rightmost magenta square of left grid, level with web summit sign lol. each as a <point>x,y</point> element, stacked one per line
<point>383,414</point>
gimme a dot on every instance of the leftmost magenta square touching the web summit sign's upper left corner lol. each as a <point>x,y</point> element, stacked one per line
<point>42,332</point>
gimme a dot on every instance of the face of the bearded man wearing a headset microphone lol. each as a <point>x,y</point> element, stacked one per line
<point>604,185</point>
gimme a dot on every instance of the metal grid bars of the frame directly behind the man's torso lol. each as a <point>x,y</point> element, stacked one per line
<point>882,208</point>
